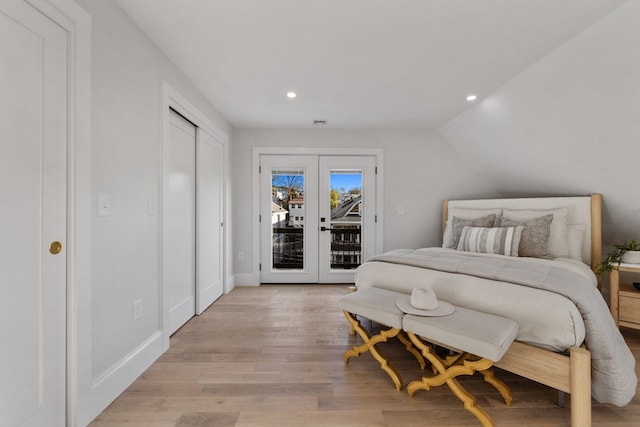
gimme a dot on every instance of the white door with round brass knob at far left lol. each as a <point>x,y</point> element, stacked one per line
<point>33,152</point>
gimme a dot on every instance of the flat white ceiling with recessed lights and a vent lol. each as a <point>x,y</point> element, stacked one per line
<point>358,64</point>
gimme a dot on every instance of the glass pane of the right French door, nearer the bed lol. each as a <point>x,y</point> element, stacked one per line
<point>346,218</point>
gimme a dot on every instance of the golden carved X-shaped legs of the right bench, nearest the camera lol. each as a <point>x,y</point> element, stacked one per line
<point>447,371</point>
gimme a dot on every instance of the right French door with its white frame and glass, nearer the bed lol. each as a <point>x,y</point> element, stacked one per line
<point>347,215</point>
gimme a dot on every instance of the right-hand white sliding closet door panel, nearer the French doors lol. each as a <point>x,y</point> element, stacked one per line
<point>209,220</point>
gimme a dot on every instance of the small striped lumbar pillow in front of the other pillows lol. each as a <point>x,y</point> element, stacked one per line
<point>497,240</point>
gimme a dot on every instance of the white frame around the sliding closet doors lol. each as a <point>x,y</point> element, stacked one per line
<point>172,99</point>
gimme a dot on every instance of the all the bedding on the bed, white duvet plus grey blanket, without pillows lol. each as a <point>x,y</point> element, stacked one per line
<point>555,302</point>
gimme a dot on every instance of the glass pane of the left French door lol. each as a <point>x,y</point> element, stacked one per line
<point>287,218</point>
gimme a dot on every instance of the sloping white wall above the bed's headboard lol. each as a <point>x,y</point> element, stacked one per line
<point>569,124</point>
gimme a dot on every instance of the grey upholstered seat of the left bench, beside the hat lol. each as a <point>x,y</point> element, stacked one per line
<point>378,305</point>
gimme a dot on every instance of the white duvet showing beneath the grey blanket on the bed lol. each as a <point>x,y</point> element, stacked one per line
<point>546,319</point>
